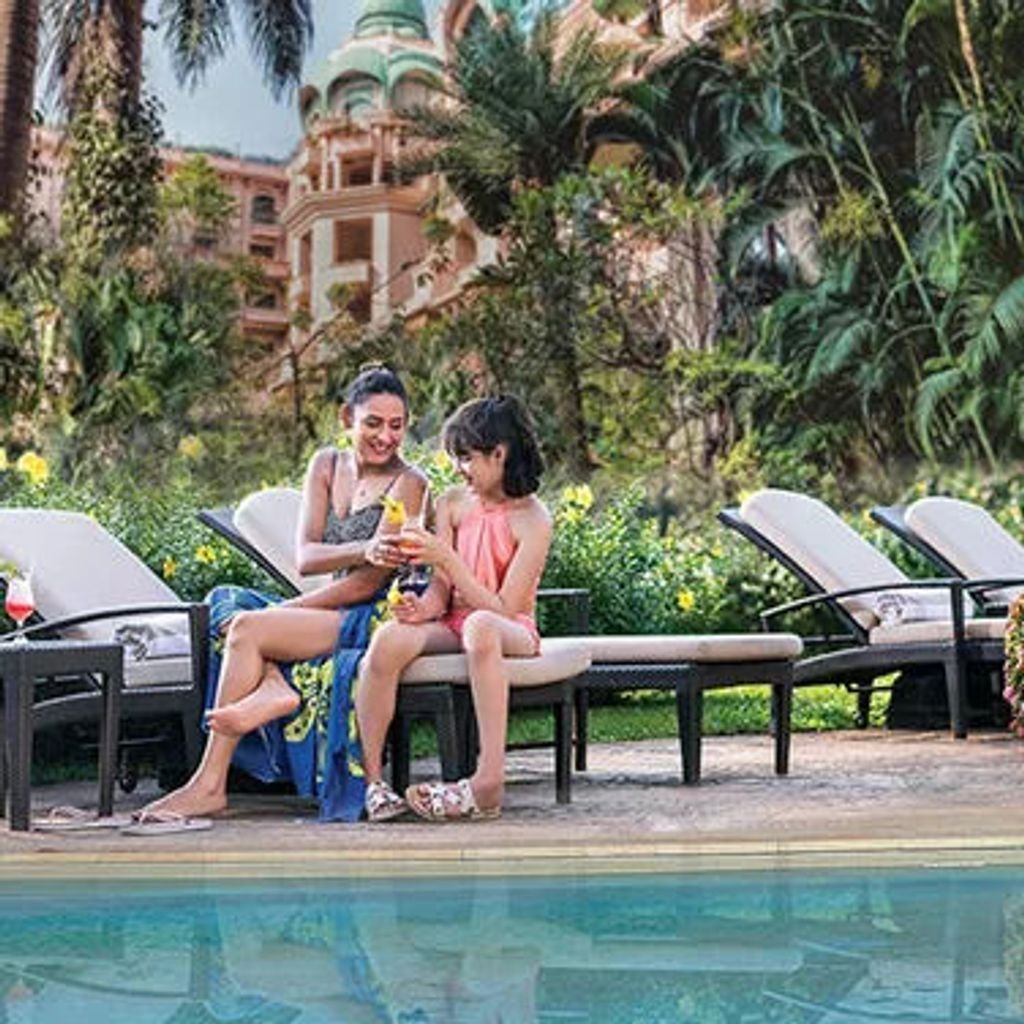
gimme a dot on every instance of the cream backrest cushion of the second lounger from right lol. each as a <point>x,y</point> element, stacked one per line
<point>824,546</point>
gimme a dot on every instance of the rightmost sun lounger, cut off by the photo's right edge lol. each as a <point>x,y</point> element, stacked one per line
<point>962,540</point>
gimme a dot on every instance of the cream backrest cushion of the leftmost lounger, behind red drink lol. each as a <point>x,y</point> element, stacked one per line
<point>77,567</point>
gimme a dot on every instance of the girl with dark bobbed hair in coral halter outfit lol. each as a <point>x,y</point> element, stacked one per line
<point>488,557</point>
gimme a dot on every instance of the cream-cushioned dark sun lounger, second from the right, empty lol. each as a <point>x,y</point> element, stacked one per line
<point>888,623</point>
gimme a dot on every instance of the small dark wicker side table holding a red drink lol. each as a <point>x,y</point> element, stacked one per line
<point>21,666</point>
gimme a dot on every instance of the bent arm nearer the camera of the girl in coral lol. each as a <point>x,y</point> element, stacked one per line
<point>524,577</point>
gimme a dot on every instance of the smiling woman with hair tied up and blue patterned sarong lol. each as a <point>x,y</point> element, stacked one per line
<point>276,660</point>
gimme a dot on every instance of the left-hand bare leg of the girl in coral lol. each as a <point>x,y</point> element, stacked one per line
<point>394,647</point>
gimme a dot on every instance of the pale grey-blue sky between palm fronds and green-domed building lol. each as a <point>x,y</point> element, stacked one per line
<point>234,110</point>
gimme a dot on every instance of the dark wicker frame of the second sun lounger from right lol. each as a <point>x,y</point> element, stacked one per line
<point>854,663</point>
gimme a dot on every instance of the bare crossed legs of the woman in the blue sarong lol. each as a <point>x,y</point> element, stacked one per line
<point>255,641</point>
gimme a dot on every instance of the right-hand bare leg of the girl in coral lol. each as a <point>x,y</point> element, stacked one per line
<point>486,638</point>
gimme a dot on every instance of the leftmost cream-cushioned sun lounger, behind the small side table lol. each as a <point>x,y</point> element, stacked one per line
<point>88,585</point>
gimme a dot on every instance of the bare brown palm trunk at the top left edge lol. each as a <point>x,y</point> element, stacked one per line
<point>19,46</point>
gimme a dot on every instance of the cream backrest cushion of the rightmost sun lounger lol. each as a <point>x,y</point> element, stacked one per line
<point>970,539</point>
